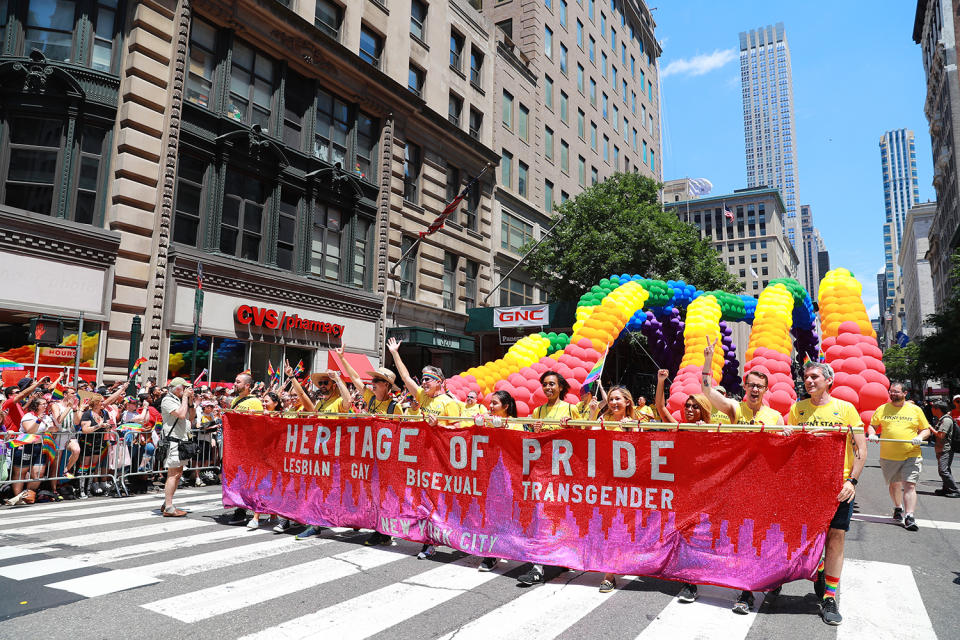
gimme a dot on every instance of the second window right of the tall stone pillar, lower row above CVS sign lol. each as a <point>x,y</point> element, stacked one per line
<point>241,226</point>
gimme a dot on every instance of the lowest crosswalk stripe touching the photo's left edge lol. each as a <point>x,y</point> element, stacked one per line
<point>49,566</point>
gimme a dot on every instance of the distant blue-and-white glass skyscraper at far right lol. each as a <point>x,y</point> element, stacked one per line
<point>898,159</point>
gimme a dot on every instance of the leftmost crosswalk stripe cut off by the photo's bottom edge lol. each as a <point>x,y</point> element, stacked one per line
<point>373,612</point>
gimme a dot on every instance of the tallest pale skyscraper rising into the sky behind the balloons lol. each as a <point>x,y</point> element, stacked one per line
<point>768,122</point>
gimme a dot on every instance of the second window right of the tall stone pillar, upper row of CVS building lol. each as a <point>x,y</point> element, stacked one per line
<point>251,86</point>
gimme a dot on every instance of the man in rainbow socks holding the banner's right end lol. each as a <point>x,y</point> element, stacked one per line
<point>821,409</point>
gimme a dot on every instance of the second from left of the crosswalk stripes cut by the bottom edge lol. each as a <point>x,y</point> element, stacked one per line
<point>542,613</point>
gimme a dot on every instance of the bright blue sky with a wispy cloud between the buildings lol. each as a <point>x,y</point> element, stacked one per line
<point>856,74</point>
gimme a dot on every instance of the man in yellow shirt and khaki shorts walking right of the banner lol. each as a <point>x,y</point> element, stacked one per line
<point>900,461</point>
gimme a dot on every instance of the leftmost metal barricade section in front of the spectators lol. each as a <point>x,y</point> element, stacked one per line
<point>49,463</point>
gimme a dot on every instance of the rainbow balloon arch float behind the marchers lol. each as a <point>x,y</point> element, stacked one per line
<point>677,319</point>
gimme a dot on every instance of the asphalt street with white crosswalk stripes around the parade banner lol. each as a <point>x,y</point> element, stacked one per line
<point>112,568</point>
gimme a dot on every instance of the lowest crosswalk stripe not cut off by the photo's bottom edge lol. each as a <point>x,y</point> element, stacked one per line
<point>213,601</point>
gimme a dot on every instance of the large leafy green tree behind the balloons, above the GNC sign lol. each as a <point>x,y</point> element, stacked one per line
<point>618,226</point>
